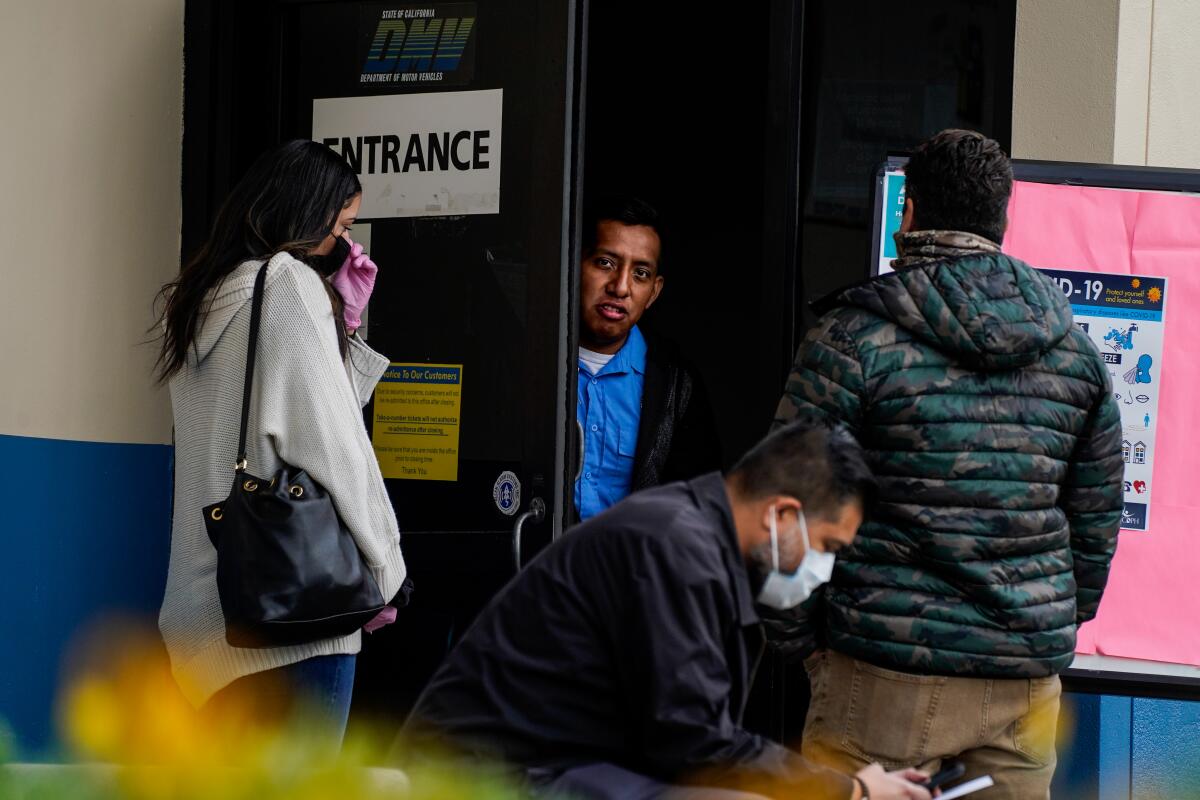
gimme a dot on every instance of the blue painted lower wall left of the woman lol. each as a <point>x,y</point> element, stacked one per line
<point>86,534</point>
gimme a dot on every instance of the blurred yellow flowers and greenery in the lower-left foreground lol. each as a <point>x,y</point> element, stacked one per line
<point>125,708</point>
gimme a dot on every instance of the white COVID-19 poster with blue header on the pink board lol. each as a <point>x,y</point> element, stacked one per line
<point>1124,317</point>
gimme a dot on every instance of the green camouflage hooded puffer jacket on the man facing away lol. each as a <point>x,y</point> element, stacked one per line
<point>991,424</point>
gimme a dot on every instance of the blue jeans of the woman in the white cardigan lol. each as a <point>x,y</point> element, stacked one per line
<point>317,691</point>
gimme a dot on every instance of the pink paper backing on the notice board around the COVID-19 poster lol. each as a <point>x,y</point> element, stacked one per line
<point>1151,609</point>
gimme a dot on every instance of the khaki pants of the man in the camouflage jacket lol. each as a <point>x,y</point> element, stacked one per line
<point>862,714</point>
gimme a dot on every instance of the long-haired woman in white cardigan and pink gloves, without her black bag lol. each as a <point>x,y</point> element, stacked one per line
<point>295,210</point>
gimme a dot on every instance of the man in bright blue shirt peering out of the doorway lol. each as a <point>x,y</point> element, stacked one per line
<point>643,411</point>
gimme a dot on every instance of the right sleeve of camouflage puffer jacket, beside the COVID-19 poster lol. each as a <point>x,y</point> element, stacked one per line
<point>1093,500</point>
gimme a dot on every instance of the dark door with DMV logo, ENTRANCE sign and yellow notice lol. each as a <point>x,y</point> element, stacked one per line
<point>463,121</point>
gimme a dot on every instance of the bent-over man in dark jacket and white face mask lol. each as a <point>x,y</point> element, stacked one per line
<point>617,664</point>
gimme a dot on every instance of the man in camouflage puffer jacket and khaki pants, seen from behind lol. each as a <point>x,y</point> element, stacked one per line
<point>989,420</point>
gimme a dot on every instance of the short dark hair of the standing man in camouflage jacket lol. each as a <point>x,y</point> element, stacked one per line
<point>961,181</point>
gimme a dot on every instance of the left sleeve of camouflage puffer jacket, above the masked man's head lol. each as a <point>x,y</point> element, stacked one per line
<point>826,378</point>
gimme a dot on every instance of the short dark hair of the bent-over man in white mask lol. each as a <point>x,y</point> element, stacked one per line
<point>815,461</point>
